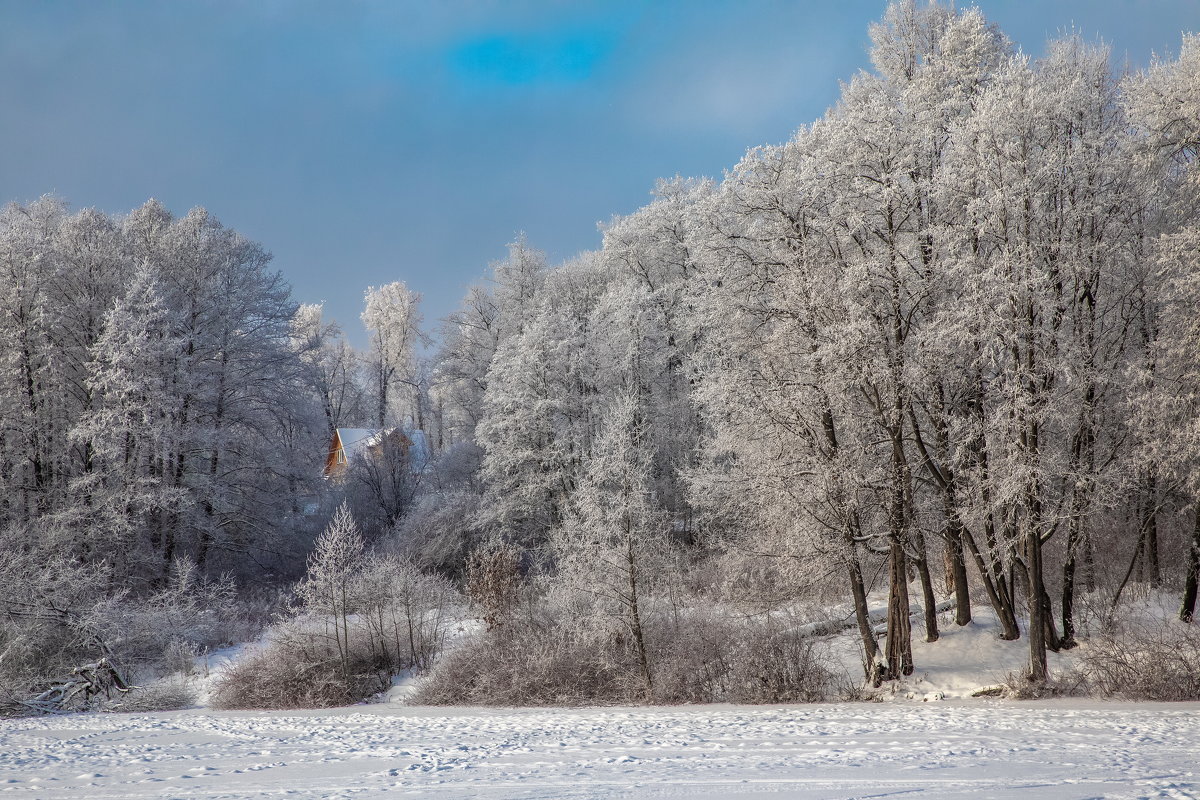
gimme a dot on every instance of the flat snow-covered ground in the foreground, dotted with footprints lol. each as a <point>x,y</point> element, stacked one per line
<point>976,749</point>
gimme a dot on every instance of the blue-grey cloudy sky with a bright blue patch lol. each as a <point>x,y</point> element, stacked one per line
<point>365,142</point>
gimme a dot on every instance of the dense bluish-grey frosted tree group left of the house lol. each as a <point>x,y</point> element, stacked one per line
<point>171,332</point>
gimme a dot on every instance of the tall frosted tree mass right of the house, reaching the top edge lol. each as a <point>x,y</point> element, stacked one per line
<point>946,335</point>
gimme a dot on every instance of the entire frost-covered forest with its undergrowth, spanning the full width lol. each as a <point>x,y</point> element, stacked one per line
<point>940,350</point>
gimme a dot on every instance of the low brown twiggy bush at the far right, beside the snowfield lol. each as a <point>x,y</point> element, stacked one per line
<point>1157,661</point>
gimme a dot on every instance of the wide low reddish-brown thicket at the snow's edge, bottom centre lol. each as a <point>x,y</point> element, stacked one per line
<point>554,658</point>
